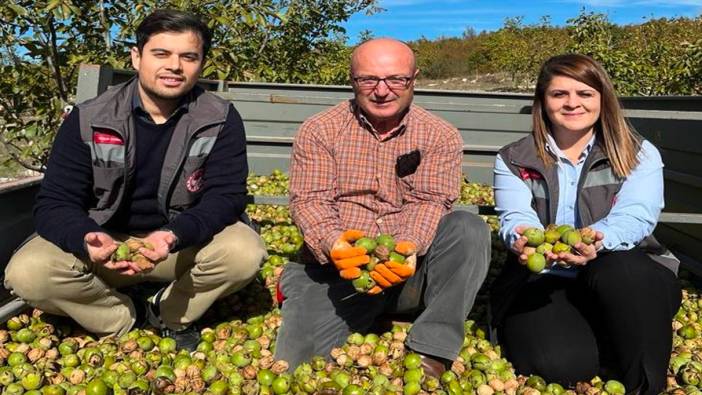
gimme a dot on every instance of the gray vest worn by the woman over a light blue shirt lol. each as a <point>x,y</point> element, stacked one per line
<point>597,190</point>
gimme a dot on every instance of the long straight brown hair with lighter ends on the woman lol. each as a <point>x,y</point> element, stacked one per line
<point>617,137</point>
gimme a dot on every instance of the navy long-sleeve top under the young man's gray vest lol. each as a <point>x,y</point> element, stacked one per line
<point>60,213</point>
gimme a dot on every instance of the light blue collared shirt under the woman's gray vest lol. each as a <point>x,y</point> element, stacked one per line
<point>632,218</point>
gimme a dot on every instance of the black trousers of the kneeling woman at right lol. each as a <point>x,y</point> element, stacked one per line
<point>613,319</point>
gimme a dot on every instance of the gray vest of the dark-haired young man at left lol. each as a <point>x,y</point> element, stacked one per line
<point>107,127</point>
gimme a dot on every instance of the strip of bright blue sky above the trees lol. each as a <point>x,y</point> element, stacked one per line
<point>412,19</point>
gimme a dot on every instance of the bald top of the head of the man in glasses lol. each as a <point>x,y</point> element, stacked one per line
<point>383,48</point>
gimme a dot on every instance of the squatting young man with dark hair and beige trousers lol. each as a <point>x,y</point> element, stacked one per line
<point>156,158</point>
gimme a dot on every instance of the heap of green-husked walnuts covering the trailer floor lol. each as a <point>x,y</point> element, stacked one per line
<point>242,328</point>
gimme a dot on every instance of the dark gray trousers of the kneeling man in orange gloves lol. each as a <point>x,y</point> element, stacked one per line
<point>321,309</point>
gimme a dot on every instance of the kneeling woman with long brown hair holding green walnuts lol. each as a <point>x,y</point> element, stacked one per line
<point>603,308</point>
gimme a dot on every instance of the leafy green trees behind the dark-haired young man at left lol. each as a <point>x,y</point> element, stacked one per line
<point>42,43</point>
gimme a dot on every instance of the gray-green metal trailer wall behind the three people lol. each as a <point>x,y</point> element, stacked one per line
<point>487,121</point>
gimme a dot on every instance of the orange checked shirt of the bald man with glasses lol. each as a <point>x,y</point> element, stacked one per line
<point>343,176</point>
